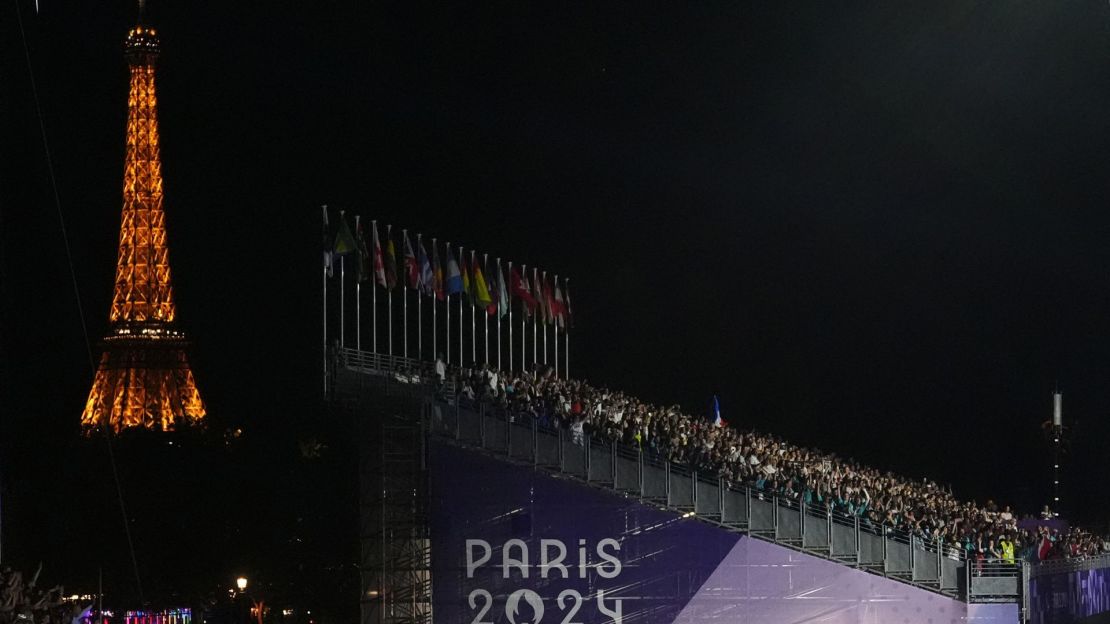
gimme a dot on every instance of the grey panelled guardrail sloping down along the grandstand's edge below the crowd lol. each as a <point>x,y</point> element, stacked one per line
<point>818,530</point>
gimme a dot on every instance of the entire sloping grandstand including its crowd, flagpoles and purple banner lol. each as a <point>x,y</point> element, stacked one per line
<point>493,497</point>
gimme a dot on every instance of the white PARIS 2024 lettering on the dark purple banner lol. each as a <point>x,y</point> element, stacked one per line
<point>551,561</point>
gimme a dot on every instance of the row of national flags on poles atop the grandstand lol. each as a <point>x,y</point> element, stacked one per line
<point>475,279</point>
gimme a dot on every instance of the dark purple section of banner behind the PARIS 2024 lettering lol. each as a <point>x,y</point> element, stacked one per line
<point>664,559</point>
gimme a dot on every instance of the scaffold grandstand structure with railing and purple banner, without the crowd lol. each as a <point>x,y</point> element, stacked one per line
<point>472,517</point>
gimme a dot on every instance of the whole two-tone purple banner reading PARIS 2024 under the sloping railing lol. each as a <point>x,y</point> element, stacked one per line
<point>517,546</point>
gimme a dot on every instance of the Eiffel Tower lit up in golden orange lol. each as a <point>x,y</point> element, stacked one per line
<point>144,379</point>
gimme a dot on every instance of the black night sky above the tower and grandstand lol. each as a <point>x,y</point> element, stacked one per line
<point>880,230</point>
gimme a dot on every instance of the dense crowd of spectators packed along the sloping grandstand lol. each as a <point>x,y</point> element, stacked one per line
<point>884,501</point>
